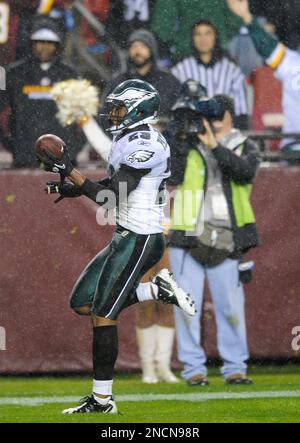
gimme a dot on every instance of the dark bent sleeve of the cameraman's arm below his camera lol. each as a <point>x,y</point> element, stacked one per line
<point>241,169</point>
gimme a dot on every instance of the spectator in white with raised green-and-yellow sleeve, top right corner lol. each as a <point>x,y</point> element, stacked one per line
<point>284,61</point>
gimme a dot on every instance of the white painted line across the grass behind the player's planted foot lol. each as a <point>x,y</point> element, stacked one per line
<point>196,397</point>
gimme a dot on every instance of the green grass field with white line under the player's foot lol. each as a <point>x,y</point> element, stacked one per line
<point>274,397</point>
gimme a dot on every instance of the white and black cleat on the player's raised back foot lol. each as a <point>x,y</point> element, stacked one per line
<point>170,292</point>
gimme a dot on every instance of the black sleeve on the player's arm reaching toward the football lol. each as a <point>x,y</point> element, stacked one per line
<point>125,176</point>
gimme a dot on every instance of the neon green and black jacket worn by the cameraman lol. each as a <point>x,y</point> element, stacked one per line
<point>238,173</point>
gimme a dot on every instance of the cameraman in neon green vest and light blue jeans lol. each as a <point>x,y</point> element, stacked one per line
<point>220,163</point>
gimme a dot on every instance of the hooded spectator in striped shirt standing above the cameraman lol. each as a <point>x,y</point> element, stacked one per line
<point>212,67</point>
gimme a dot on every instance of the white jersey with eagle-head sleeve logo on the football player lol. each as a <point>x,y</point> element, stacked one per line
<point>143,211</point>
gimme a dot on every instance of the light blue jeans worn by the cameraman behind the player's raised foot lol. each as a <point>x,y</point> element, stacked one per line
<point>228,300</point>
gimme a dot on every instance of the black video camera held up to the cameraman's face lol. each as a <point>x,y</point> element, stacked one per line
<point>191,107</point>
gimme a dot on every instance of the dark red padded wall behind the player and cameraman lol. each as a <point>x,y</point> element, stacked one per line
<point>45,246</point>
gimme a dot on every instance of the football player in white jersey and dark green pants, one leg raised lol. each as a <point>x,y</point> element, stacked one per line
<point>138,167</point>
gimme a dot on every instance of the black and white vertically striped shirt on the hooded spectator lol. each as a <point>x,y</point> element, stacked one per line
<point>224,77</point>
